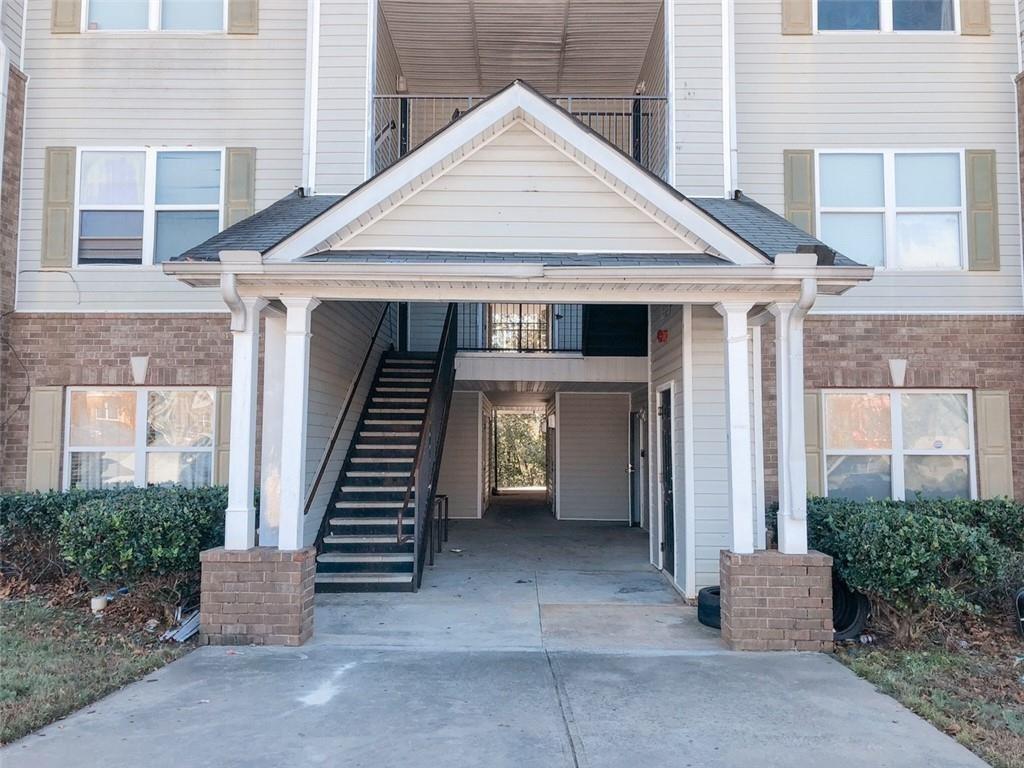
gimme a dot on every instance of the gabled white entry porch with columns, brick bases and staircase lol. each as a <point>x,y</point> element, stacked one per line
<point>351,424</point>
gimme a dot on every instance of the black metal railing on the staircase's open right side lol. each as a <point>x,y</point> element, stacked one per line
<point>422,488</point>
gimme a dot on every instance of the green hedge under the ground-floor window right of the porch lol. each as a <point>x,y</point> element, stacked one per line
<point>924,562</point>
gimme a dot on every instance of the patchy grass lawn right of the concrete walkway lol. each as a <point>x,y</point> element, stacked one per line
<point>974,695</point>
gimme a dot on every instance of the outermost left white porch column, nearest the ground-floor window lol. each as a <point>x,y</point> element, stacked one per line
<point>240,520</point>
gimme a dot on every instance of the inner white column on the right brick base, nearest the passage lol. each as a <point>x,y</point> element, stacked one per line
<point>738,410</point>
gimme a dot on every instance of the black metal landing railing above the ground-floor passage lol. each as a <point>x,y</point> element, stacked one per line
<point>521,328</point>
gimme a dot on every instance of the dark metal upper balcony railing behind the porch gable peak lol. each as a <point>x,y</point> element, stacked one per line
<point>636,125</point>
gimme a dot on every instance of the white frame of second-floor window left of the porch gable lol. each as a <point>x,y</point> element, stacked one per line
<point>149,207</point>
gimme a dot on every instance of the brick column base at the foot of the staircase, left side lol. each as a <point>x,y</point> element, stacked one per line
<point>261,596</point>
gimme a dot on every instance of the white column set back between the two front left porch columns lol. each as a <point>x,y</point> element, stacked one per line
<point>273,425</point>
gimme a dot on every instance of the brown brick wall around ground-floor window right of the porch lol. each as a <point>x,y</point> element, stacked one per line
<point>964,352</point>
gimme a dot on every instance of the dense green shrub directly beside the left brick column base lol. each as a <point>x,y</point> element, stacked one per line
<point>141,534</point>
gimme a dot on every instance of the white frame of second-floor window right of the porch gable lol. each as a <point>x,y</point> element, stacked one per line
<point>889,209</point>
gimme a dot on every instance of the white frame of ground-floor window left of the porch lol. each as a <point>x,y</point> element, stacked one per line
<point>140,449</point>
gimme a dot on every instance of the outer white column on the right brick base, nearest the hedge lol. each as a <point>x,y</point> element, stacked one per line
<point>791,442</point>
